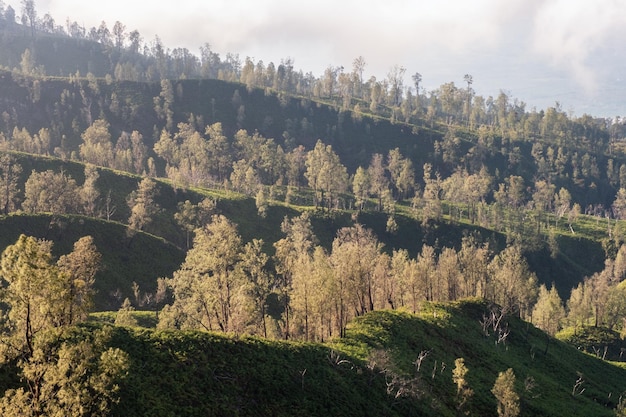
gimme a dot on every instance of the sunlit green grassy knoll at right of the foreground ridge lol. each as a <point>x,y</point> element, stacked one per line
<point>453,330</point>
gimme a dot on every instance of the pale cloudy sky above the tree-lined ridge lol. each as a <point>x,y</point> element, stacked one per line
<point>537,51</point>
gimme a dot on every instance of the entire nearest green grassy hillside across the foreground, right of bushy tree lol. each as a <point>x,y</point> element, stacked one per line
<point>371,371</point>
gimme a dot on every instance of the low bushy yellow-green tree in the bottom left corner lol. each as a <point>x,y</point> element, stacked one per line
<point>70,373</point>
